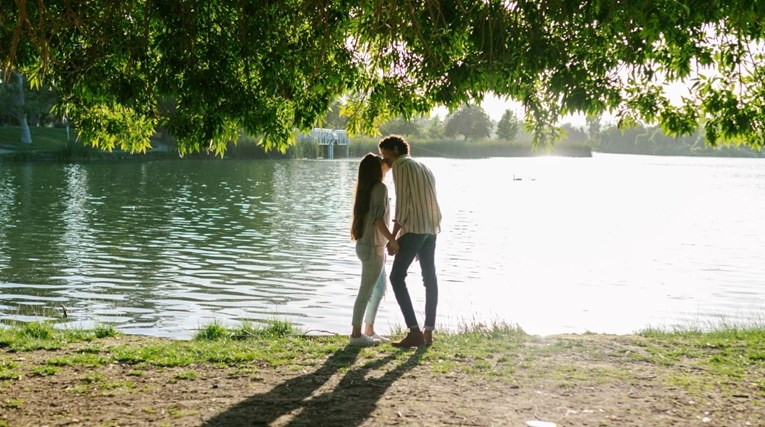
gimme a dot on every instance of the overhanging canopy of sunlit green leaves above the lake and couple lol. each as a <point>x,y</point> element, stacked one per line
<point>206,69</point>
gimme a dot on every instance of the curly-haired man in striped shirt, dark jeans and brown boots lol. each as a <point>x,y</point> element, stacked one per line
<point>418,220</point>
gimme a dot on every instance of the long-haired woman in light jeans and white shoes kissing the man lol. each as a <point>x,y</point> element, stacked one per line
<point>371,215</point>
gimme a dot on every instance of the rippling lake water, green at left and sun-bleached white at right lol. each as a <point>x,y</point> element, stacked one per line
<point>605,244</point>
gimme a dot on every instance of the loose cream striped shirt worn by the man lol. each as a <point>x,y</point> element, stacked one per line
<point>417,209</point>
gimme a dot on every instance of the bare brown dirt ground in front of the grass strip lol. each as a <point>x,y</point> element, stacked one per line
<point>594,390</point>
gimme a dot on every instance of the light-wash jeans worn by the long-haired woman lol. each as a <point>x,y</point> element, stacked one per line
<point>372,286</point>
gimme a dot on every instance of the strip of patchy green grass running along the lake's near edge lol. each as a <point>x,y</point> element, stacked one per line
<point>692,359</point>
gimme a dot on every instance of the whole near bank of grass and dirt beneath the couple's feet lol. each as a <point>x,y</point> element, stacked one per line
<point>480,375</point>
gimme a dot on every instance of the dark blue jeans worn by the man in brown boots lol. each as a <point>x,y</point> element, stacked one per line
<point>423,246</point>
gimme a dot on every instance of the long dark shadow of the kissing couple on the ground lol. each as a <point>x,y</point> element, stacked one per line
<point>300,402</point>
